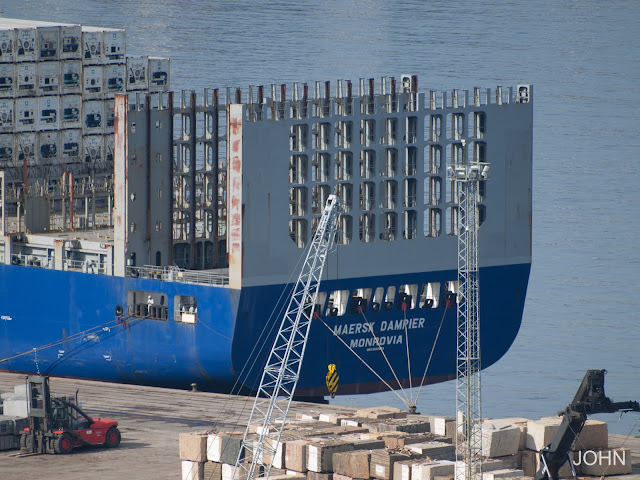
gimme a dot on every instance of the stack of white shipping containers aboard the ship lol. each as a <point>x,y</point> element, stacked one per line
<point>57,88</point>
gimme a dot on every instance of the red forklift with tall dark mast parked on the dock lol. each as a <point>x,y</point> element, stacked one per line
<point>57,424</point>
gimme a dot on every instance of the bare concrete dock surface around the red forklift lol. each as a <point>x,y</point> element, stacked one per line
<point>151,420</point>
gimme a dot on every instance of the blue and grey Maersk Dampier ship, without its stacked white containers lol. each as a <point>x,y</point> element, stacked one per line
<point>170,262</point>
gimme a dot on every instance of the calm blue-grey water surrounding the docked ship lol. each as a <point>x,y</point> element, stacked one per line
<point>583,58</point>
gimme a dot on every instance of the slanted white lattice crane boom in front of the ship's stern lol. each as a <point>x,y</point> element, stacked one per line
<point>282,370</point>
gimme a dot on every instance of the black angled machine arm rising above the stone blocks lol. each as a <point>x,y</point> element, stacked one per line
<point>589,399</point>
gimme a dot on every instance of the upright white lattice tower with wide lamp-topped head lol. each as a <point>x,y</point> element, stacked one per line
<point>467,178</point>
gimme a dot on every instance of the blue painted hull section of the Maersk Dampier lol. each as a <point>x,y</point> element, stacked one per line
<point>40,307</point>
